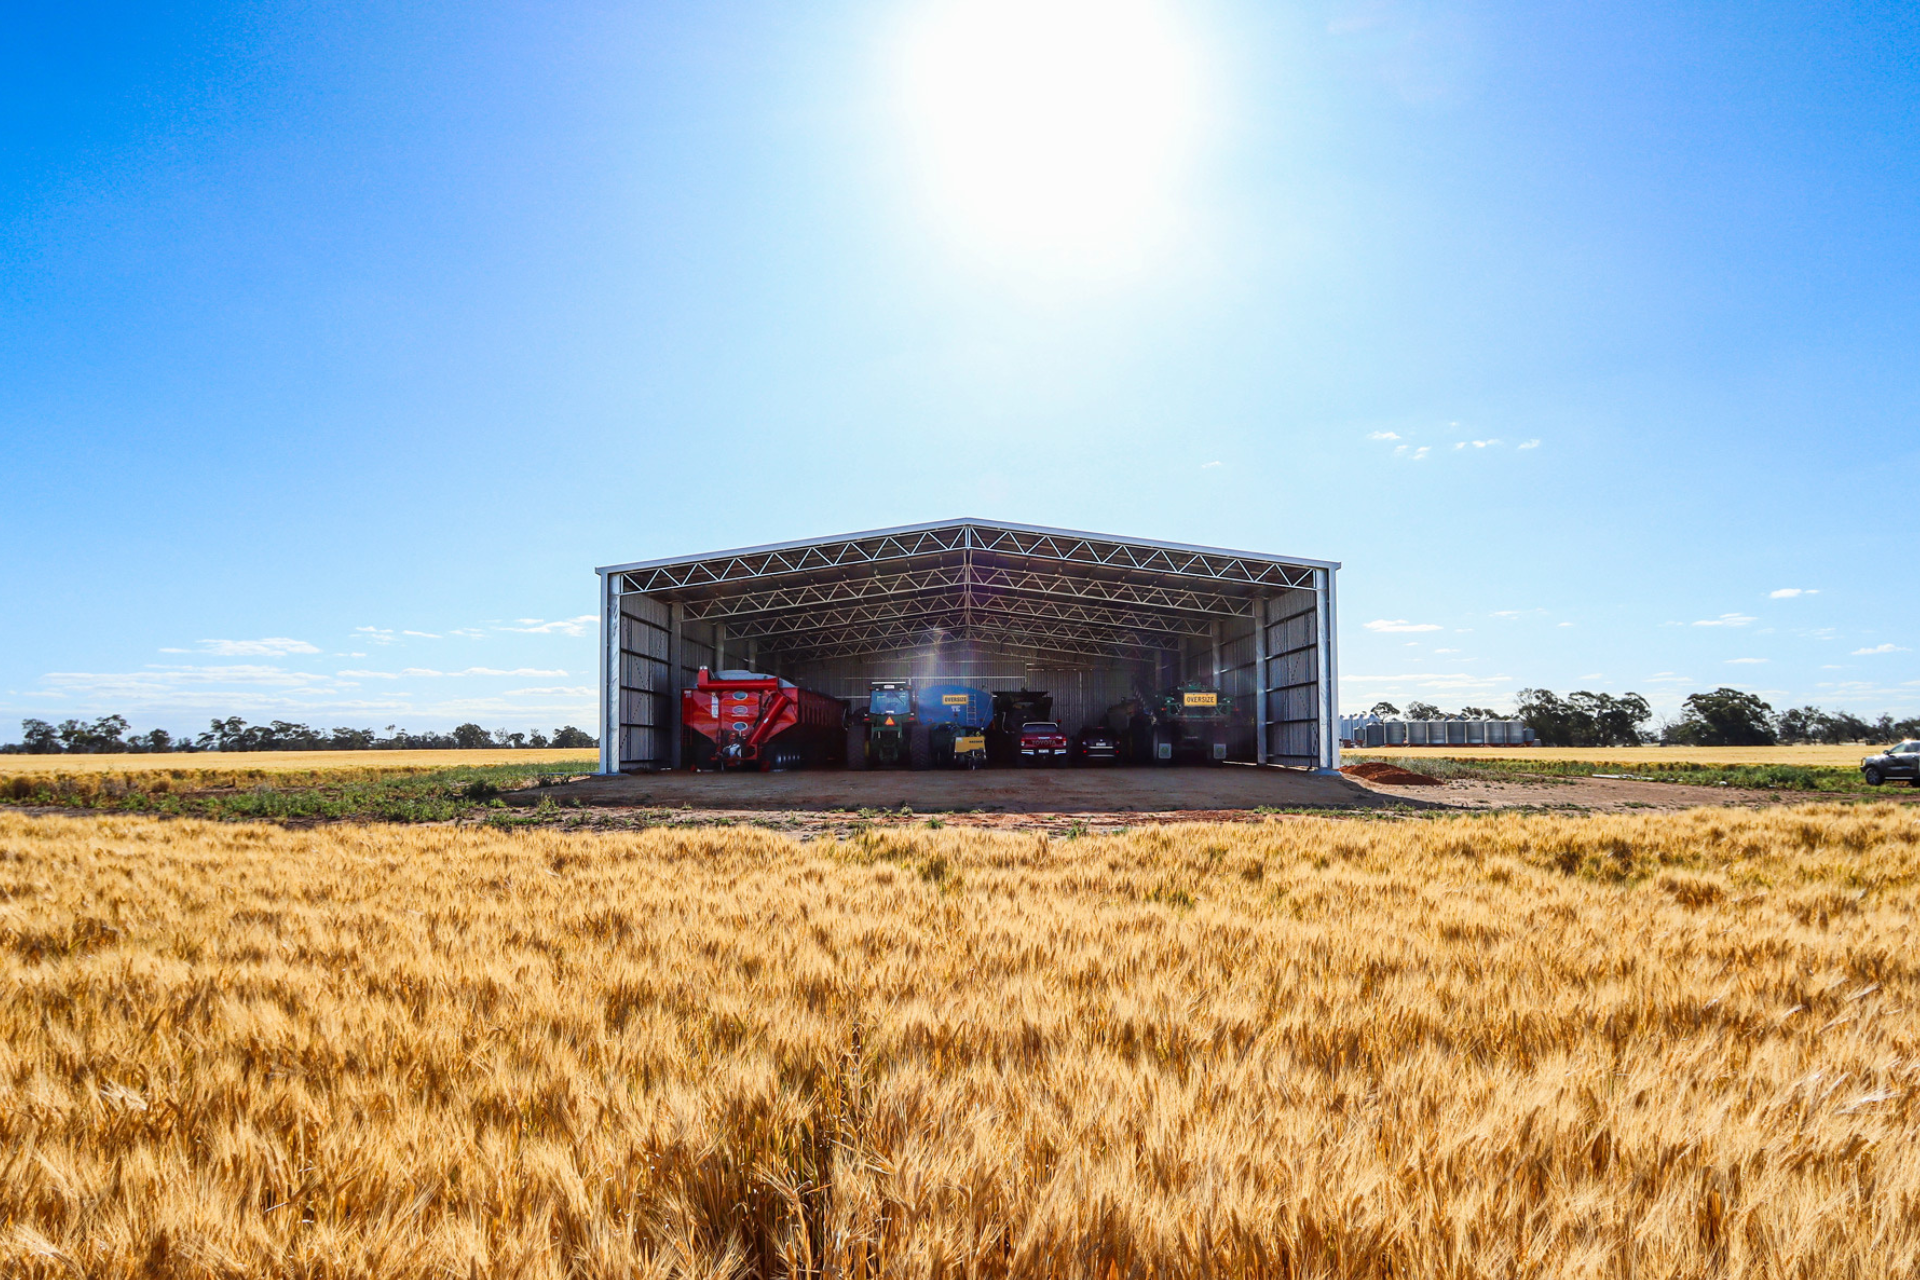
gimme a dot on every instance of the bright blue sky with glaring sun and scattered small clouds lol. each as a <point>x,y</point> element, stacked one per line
<point>341,343</point>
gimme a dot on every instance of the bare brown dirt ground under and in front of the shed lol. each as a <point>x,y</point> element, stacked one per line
<point>1090,801</point>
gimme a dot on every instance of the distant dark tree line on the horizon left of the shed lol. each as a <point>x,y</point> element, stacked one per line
<point>108,736</point>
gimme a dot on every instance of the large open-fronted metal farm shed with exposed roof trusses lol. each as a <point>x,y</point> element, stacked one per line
<point>1088,617</point>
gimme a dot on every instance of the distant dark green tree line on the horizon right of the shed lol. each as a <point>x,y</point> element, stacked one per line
<point>1719,719</point>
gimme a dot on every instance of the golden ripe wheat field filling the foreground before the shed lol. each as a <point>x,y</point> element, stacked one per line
<point>1671,1045</point>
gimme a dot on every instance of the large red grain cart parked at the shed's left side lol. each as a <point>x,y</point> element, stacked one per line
<point>744,721</point>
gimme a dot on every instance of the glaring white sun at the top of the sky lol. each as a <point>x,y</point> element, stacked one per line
<point>1051,130</point>
